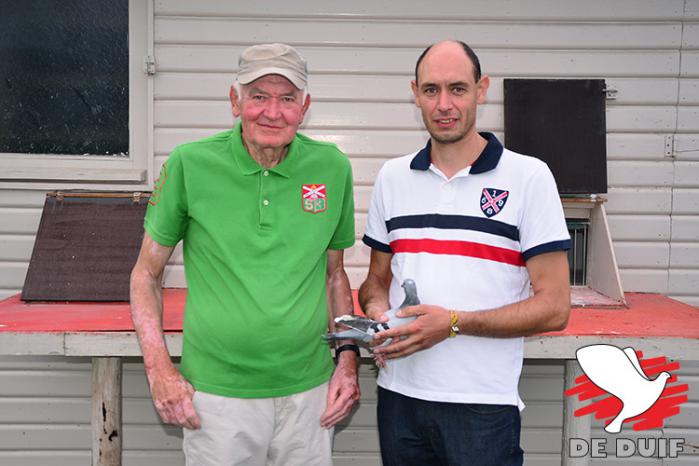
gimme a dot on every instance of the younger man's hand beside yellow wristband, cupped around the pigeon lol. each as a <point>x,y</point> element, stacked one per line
<point>430,327</point>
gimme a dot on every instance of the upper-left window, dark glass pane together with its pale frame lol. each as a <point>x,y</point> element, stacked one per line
<point>73,90</point>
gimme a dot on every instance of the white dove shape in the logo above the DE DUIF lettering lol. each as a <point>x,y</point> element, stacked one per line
<point>619,372</point>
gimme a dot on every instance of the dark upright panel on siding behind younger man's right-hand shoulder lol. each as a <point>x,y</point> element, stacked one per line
<point>561,121</point>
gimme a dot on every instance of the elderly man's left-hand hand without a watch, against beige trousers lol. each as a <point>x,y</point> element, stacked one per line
<point>172,396</point>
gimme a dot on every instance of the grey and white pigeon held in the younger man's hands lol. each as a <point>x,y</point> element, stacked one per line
<point>363,329</point>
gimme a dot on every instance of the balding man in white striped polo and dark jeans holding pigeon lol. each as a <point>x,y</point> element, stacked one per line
<point>474,225</point>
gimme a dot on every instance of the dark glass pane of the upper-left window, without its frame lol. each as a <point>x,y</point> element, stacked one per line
<point>64,75</point>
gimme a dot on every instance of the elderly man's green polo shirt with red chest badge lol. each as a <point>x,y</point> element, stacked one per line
<point>254,243</point>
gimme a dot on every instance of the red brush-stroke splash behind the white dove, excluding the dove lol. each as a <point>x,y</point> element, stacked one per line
<point>608,407</point>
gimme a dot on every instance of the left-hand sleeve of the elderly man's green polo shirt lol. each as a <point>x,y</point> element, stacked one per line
<point>166,216</point>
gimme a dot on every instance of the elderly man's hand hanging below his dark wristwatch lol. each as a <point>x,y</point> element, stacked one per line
<point>343,390</point>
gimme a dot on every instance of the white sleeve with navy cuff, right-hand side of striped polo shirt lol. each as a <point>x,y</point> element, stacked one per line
<point>542,226</point>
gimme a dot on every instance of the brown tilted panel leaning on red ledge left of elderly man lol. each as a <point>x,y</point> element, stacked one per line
<point>85,248</point>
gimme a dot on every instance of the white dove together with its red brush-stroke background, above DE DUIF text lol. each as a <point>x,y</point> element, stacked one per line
<point>627,388</point>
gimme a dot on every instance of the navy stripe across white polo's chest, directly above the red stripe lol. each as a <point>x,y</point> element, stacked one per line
<point>454,222</point>
